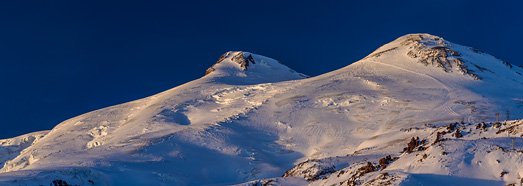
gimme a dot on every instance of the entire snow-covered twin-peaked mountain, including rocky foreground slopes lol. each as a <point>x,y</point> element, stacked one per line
<point>251,120</point>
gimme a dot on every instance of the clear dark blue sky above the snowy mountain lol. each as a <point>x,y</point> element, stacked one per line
<point>60,59</point>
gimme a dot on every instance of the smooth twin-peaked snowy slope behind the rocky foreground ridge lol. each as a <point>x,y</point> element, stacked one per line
<point>254,119</point>
